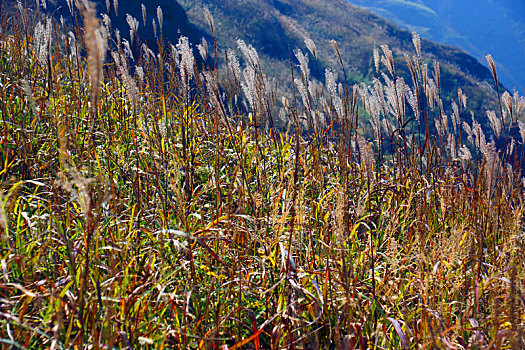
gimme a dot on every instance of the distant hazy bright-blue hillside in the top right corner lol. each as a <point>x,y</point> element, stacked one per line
<point>477,26</point>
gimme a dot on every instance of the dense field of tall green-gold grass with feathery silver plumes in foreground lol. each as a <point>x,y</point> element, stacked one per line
<point>159,205</point>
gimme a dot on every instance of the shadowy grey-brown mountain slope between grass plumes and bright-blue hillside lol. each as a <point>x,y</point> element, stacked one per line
<point>275,27</point>
